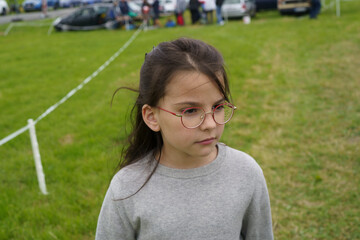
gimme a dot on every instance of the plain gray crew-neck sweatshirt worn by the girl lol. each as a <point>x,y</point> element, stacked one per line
<point>226,199</point>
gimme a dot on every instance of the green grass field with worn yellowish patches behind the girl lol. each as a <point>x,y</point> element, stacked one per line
<point>295,82</point>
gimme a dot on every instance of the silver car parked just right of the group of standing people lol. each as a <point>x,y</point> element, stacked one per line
<point>238,8</point>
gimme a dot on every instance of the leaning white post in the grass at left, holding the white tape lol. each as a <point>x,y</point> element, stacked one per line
<point>36,152</point>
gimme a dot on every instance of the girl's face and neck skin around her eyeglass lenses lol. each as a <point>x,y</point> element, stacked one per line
<point>188,148</point>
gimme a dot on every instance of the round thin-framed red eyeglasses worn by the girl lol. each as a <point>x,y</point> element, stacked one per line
<point>194,116</point>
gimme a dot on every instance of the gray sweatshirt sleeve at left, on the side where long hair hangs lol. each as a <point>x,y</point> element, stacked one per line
<point>113,222</point>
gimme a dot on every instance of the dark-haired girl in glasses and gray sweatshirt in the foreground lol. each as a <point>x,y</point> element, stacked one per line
<point>177,181</point>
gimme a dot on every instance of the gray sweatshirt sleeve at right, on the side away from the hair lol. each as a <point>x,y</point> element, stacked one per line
<point>257,223</point>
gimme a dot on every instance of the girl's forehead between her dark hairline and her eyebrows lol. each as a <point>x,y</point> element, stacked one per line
<point>191,85</point>
